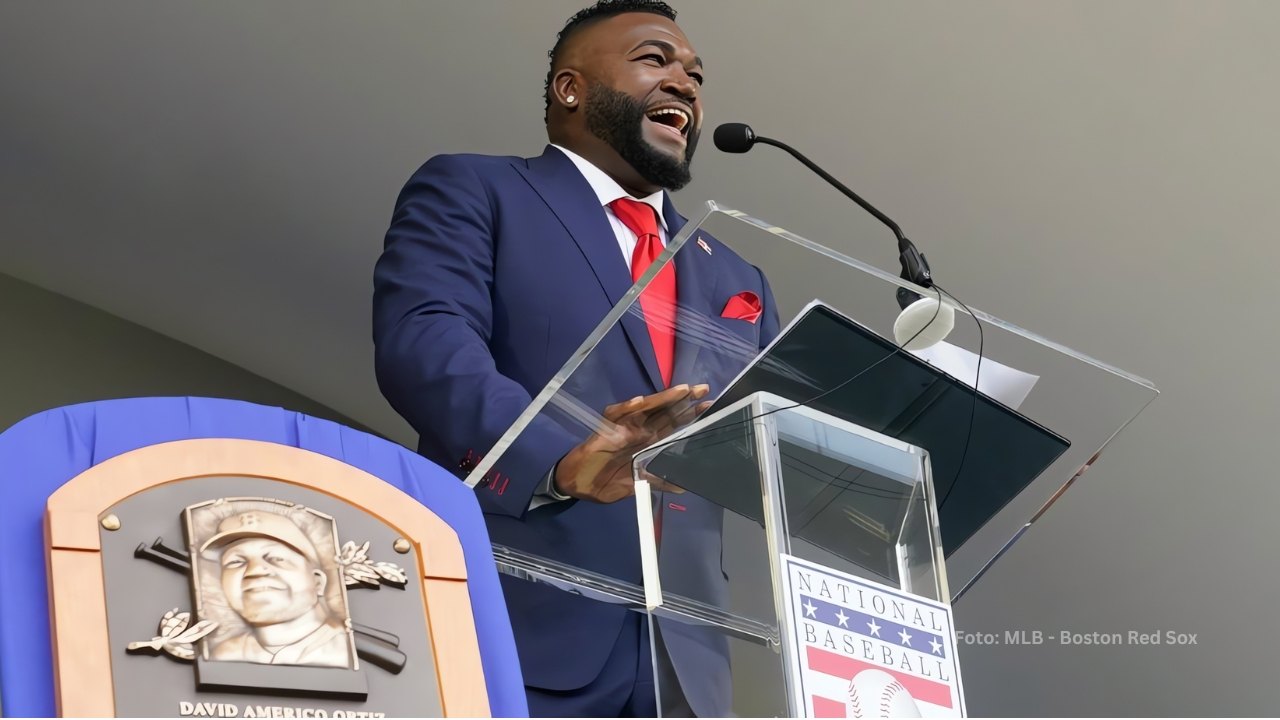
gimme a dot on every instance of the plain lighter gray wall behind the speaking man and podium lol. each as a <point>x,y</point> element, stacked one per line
<point>1101,172</point>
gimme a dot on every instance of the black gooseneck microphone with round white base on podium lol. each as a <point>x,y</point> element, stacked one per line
<point>926,320</point>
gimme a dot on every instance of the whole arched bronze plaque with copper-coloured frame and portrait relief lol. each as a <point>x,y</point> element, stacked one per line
<point>231,580</point>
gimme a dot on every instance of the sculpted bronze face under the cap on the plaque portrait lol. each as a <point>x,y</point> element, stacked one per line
<point>268,582</point>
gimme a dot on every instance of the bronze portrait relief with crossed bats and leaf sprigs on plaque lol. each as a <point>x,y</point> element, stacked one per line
<point>269,584</point>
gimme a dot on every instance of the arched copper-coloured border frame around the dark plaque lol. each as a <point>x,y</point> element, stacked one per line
<point>76,516</point>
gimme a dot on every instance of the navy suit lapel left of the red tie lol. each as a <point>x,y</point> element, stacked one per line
<point>564,189</point>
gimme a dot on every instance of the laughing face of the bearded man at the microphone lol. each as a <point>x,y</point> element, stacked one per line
<point>644,95</point>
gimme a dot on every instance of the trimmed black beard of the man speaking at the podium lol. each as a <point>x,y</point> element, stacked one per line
<point>618,119</point>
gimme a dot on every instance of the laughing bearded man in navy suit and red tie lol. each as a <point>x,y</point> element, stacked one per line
<point>496,270</point>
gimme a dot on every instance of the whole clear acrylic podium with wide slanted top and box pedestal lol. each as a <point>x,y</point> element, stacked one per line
<point>784,477</point>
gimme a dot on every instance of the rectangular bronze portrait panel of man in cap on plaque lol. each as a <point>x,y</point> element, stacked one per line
<point>267,573</point>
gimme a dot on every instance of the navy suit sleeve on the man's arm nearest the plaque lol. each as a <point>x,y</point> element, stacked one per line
<point>433,321</point>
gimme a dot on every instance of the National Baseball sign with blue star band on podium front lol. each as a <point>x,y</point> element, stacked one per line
<point>866,650</point>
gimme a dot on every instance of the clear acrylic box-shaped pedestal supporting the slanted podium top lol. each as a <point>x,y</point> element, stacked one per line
<point>820,489</point>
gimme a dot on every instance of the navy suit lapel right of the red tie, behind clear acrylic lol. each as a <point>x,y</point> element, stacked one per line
<point>696,288</point>
